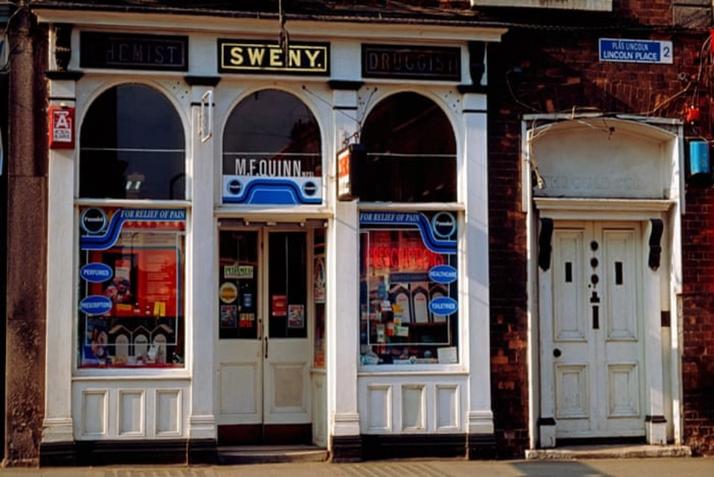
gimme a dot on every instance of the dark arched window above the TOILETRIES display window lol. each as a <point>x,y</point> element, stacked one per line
<point>411,152</point>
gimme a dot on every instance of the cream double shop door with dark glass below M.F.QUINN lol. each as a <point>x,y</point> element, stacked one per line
<point>264,352</point>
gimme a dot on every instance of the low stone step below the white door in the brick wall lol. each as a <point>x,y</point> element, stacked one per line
<point>636,451</point>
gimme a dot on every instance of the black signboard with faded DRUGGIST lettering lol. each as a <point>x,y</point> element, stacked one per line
<point>411,62</point>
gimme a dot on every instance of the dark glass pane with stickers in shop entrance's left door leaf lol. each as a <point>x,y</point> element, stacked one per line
<point>238,289</point>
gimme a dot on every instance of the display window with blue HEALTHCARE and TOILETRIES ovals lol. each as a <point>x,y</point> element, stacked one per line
<point>408,288</point>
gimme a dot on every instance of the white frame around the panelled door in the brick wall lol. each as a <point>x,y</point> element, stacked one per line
<point>660,413</point>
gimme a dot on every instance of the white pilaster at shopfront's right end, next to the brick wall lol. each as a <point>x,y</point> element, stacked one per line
<point>474,191</point>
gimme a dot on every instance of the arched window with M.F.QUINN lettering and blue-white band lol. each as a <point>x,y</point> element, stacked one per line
<point>272,152</point>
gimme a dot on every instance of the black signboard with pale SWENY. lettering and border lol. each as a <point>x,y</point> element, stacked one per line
<point>263,57</point>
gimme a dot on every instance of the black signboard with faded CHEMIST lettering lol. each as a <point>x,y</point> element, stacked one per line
<point>133,51</point>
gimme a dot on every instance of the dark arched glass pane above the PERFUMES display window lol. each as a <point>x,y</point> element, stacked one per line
<point>132,146</point>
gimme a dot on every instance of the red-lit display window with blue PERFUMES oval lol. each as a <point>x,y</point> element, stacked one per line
<point>131,287</point>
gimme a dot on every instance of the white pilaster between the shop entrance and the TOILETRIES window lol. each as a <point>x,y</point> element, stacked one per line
<point>343,289</point>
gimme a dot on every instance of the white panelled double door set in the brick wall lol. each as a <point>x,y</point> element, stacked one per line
<point>591,331</point>
